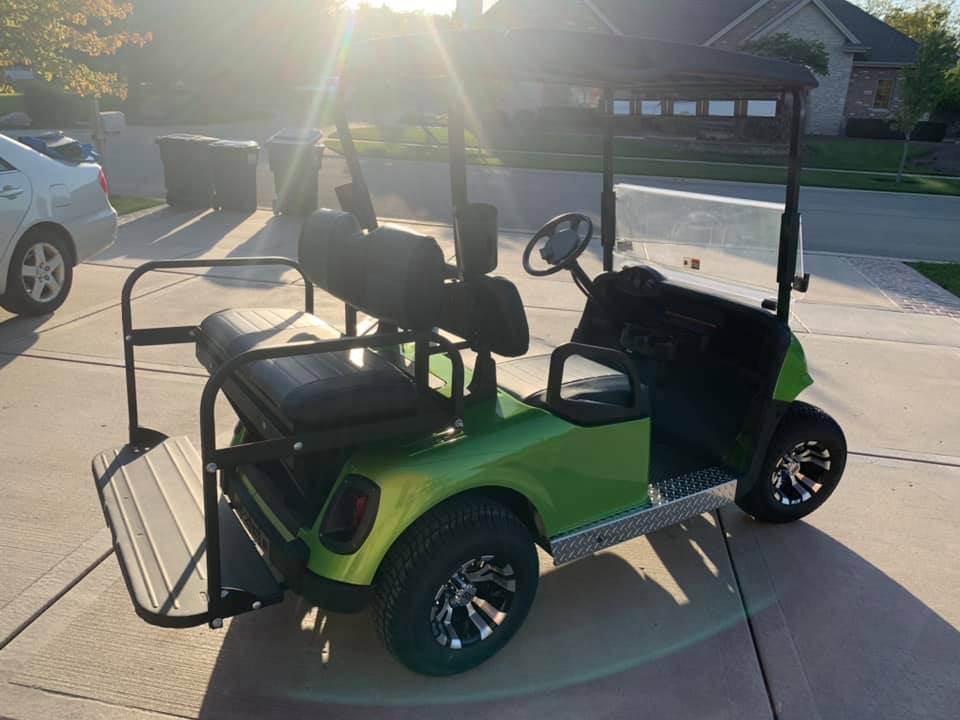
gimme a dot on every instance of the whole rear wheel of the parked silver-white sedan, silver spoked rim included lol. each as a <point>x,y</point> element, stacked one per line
<point>40,274</point>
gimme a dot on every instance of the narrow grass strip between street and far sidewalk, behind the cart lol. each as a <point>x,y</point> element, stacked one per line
<point>665,167</point>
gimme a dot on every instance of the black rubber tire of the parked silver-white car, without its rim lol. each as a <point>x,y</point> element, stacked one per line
<point>17,298</point>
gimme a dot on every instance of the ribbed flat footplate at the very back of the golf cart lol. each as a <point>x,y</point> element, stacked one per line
<point>153,503</point>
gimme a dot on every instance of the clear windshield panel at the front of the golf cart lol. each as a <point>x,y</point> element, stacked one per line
<point>709,239</point>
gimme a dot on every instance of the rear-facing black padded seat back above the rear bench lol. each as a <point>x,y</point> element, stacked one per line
<point>390,273</point>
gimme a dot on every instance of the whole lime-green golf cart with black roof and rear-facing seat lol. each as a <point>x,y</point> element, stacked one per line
<point>373,465</point>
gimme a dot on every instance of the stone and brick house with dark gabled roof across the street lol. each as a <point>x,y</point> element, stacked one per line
<point>865,54</point>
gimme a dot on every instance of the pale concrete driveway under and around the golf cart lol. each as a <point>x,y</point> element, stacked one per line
<point>852,613</point>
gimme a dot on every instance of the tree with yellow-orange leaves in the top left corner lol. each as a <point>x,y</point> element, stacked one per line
<point>60,40</point>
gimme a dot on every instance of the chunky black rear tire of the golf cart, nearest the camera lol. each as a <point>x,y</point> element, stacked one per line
<point>415,578</point>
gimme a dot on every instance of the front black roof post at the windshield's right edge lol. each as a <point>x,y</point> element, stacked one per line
<point>790,220</point>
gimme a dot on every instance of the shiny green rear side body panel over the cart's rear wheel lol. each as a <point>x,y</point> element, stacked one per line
<point>571,475</point>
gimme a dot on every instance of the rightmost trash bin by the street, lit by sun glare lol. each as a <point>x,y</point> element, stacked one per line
<point>295,159</point>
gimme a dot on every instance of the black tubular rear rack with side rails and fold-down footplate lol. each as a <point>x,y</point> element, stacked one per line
<point>186,558</point>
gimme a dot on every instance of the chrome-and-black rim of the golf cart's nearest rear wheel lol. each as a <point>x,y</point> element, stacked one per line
<point>473,603</point>
